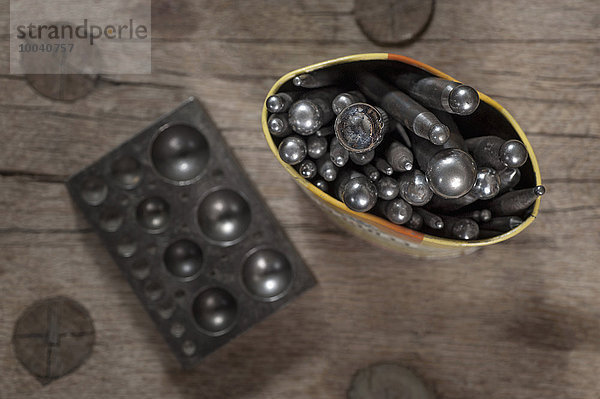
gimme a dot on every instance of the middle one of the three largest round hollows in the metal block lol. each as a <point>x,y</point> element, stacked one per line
<point>224,216</point>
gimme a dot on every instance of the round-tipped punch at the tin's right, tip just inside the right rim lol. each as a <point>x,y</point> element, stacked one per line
<point>494,152</point>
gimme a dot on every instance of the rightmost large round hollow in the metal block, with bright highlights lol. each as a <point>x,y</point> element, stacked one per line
<point>267,274</point>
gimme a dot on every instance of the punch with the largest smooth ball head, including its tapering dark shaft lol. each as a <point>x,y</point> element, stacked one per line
<point>451,172</point>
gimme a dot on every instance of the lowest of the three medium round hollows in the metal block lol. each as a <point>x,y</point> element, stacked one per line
<point>215,310</point>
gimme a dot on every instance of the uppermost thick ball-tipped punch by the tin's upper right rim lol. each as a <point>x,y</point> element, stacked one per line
<point>438,93</point>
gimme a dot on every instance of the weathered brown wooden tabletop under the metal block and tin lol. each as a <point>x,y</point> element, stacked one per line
<point>518,319</point>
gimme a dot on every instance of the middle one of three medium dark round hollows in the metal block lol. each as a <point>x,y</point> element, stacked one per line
<point>183,258</point>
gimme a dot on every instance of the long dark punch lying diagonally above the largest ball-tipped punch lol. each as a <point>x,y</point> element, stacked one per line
<point>403,108</point>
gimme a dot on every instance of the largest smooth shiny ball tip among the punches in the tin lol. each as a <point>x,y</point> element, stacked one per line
<point>451,173</point>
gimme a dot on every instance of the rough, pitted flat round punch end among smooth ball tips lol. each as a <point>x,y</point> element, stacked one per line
<point>361,127</point>
